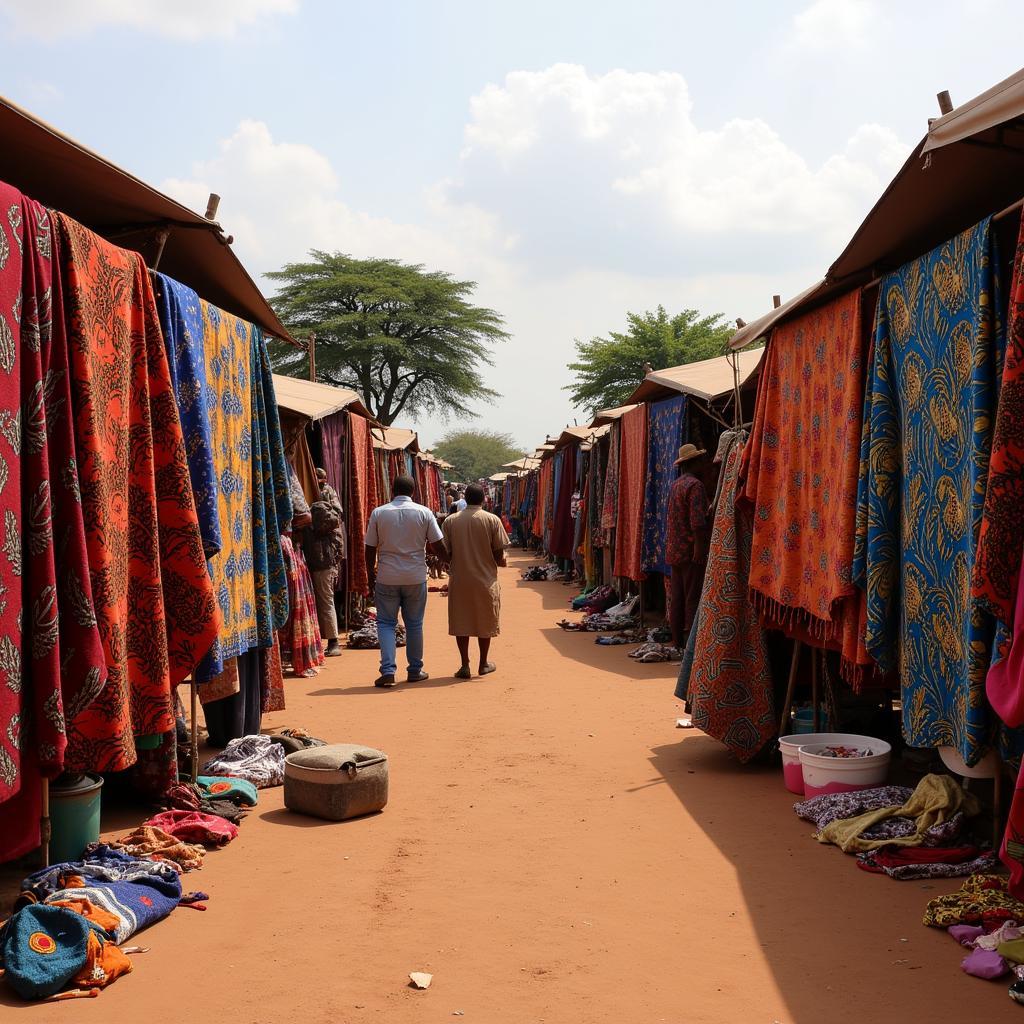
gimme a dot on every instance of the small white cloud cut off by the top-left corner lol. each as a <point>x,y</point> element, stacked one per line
<point>189,20</point>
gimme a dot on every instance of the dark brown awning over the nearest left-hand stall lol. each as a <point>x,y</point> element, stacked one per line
<point>61,174</point>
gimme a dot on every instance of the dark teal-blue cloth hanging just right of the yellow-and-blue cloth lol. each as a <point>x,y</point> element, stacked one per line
<point>272,503</point>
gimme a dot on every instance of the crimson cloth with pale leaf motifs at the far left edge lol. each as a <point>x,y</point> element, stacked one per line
<point>12,245</point>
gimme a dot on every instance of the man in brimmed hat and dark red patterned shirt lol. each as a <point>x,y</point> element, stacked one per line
<point>687,543</point>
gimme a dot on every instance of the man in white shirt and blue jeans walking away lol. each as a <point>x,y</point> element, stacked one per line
<point>398,537</point>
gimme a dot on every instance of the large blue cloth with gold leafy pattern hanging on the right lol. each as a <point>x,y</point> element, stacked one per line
<point>924,465</point>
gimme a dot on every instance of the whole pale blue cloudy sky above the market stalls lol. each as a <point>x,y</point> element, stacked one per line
<point>577,159</point>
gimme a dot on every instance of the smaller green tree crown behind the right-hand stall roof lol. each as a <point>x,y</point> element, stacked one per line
<point>609,370</point>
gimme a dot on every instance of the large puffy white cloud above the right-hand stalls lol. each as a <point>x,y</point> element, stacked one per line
<point>615,170</point>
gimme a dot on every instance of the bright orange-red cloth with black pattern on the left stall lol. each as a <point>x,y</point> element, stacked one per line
<point>151,589</point>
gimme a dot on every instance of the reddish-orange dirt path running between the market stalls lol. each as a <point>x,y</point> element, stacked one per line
<point>554,850</point>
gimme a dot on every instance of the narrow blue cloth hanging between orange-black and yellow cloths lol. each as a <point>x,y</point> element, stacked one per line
<point>182,322</point>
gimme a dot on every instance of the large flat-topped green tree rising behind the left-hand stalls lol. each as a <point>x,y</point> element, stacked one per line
<point>408,340</point>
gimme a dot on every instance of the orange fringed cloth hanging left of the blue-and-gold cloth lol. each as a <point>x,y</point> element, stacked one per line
<point>801,479</point>
